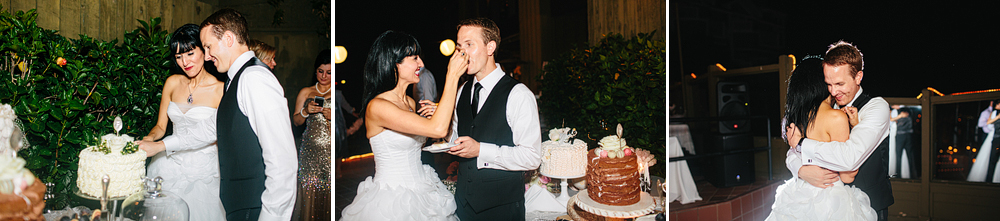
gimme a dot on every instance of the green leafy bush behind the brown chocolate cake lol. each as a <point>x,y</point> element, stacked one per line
<point>618,81</point>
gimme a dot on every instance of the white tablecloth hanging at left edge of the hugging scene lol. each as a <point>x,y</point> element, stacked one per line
<point>681,185</point>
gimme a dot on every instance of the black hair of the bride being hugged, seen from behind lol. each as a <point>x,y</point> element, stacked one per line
<point>806,91</point>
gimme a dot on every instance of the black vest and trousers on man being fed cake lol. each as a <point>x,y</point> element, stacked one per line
<point>487,188</point>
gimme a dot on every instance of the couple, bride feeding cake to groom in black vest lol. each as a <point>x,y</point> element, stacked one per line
<point>492,118</point>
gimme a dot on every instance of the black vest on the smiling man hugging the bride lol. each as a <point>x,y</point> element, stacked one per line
<point>873,176</point>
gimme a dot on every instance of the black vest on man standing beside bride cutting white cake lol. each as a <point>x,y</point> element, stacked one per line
<point>241,164</point>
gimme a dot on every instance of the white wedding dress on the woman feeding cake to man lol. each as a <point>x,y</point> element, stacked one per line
<point>402,188</point>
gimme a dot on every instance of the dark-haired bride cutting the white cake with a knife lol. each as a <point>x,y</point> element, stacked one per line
<point>188,159</point>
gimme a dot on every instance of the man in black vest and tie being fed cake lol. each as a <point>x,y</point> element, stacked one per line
<point>497,130</point>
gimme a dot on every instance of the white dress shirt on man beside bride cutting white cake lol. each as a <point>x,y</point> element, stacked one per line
<point>262,99</point>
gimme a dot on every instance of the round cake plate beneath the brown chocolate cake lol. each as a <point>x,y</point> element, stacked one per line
<point>643,207</point>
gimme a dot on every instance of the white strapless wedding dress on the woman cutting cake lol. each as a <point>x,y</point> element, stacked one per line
<point>193,171</point>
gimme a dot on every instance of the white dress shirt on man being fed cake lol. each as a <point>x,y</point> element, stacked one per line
<point>522,117</point>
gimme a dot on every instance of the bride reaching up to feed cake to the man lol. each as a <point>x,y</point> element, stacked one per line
<point>402,188</point>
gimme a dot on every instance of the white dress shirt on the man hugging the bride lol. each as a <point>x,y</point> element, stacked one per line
<point>872,128</point>
